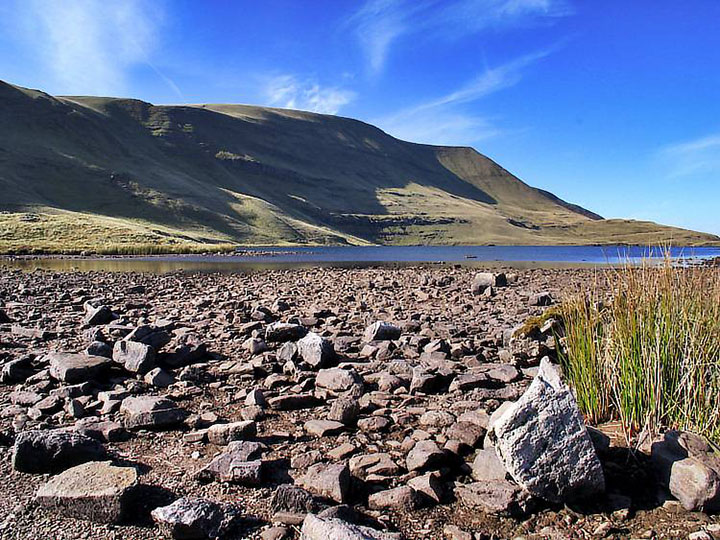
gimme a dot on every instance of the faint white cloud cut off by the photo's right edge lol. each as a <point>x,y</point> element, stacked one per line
<point>698,157</point>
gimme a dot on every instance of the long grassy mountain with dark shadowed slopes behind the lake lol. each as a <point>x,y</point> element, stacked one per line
<point>95,173</point>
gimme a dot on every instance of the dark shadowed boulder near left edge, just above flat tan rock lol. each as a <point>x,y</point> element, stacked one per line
<point>41,451</point>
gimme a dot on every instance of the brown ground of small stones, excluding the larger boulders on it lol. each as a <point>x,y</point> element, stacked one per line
<point>454,359</point>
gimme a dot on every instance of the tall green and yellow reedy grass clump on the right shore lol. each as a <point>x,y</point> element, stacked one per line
<point>649,355</point>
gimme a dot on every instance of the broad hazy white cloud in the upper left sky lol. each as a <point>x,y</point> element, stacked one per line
<point>90,46</point>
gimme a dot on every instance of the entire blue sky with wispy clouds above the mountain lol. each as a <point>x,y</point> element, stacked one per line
<point>614,105</point>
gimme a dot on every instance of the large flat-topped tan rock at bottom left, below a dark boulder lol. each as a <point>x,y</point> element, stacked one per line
<point>96,491</point>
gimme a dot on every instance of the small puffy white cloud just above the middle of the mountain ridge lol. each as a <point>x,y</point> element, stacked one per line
<point>291,92</point>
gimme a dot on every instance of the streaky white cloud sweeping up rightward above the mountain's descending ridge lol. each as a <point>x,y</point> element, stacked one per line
<point>444,120</point>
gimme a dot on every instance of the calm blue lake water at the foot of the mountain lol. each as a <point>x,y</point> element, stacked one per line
<point>262,258</point>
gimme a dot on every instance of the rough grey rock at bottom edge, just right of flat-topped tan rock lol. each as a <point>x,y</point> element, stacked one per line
<point>195,519</point>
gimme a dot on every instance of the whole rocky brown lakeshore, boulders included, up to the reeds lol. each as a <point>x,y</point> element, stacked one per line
<point>376,403</point>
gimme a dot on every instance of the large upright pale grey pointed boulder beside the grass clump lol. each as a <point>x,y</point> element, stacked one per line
<point>543,443</point>
